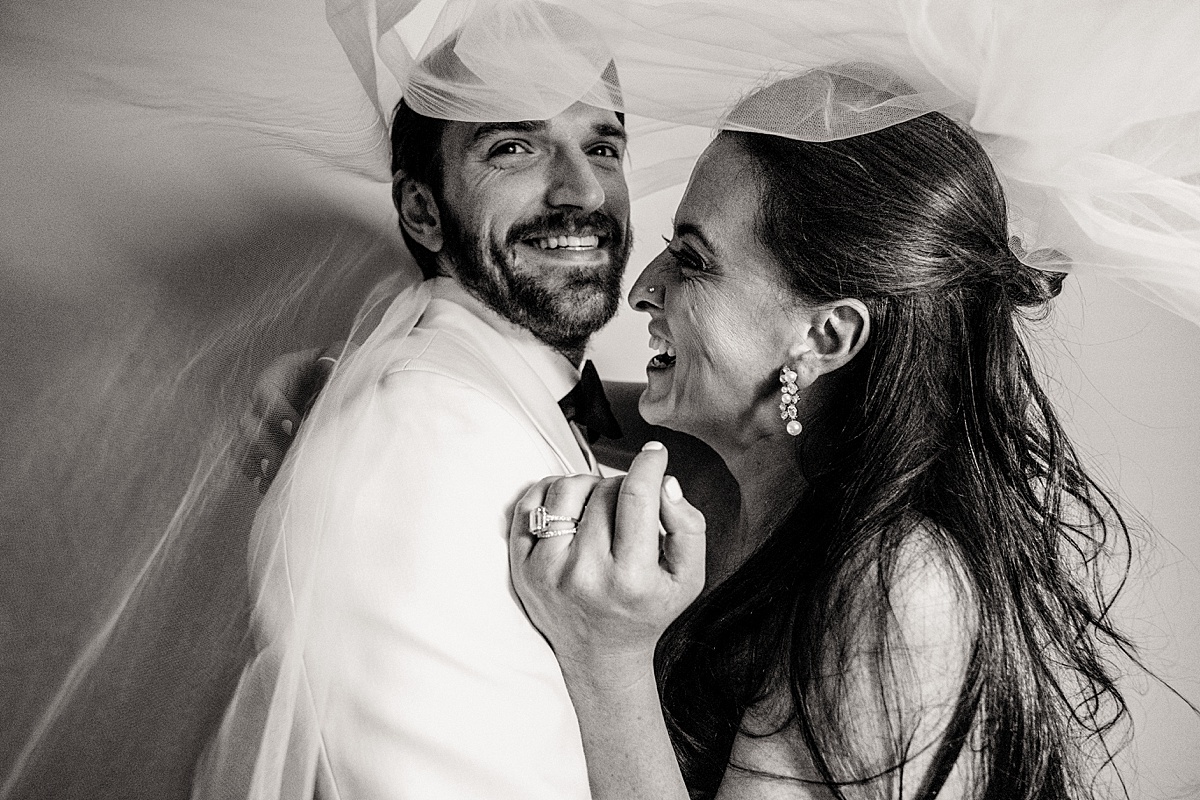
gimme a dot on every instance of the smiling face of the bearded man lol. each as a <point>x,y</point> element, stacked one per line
<point>536,220</point>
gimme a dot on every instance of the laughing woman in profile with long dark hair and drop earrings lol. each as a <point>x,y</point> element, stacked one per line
<point>908,605</point>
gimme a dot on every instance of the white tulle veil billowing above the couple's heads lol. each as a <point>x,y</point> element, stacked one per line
<point>1090,110</point>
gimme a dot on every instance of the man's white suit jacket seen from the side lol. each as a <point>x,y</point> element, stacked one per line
<point>381,566</point>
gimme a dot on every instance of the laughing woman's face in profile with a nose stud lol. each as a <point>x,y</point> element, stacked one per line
<point>719,312</point>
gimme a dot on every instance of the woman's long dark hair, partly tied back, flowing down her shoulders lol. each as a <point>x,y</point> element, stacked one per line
<point>944,430</point>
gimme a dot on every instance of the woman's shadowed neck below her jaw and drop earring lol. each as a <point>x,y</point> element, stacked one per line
<point>770,483</point>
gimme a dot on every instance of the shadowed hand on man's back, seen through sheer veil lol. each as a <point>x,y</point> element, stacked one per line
<point>283,396</point>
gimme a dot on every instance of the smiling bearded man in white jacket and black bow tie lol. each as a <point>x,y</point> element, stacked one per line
<point>521,231</point>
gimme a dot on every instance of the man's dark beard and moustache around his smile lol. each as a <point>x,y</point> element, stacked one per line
<point>563,316</point>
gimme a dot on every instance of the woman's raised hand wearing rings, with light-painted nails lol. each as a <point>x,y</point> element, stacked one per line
<point>604,596</point>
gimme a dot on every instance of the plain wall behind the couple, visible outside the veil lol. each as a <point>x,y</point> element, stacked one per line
<point>146,203</point>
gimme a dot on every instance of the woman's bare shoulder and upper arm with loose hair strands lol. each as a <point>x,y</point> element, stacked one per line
<point>891,683</point>
